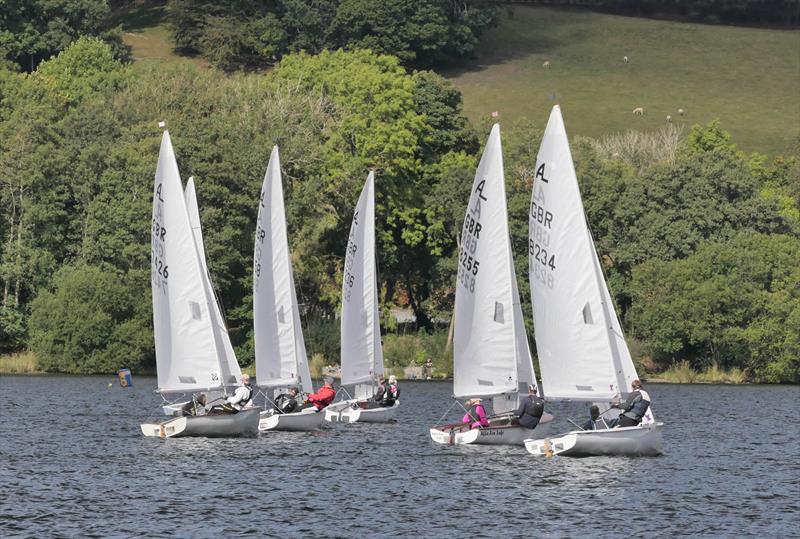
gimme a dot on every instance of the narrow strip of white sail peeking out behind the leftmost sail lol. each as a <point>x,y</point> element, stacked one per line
<point>230,367</point>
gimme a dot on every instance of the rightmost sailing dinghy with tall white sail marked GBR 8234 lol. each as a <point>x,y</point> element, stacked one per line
<point>582,351</point>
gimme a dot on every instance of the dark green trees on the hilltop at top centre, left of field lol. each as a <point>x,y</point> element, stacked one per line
<point>248,33</point>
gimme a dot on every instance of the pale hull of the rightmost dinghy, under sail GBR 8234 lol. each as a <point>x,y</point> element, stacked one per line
<point>640,441</point>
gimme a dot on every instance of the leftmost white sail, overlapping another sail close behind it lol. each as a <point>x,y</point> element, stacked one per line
<point>187,349</point>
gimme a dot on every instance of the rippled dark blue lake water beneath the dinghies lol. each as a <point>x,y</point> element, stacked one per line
<point>73,463</point>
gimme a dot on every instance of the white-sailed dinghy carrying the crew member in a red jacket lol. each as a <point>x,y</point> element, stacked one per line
<point>281,360</point>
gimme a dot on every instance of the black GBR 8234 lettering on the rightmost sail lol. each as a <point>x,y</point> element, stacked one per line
<point>540,250</point>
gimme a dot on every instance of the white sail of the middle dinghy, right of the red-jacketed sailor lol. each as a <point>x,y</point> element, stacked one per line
<point>362,354</point>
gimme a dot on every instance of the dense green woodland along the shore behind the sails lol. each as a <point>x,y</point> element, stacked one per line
<point>700,240</point>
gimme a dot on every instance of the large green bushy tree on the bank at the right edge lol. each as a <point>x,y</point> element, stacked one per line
<point>730,304</point>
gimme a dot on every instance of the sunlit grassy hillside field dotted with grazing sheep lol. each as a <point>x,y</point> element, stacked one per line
<point>748,78</point>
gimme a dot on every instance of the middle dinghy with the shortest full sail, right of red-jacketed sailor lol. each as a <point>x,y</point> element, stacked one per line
<point>361,351</point>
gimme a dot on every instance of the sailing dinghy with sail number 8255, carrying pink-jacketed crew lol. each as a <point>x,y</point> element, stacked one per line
<point>491,356</point>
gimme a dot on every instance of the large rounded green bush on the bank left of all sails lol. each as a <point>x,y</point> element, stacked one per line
<point>85,325</point>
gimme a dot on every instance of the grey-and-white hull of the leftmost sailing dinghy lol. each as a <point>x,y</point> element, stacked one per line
<point>244,423</point>
